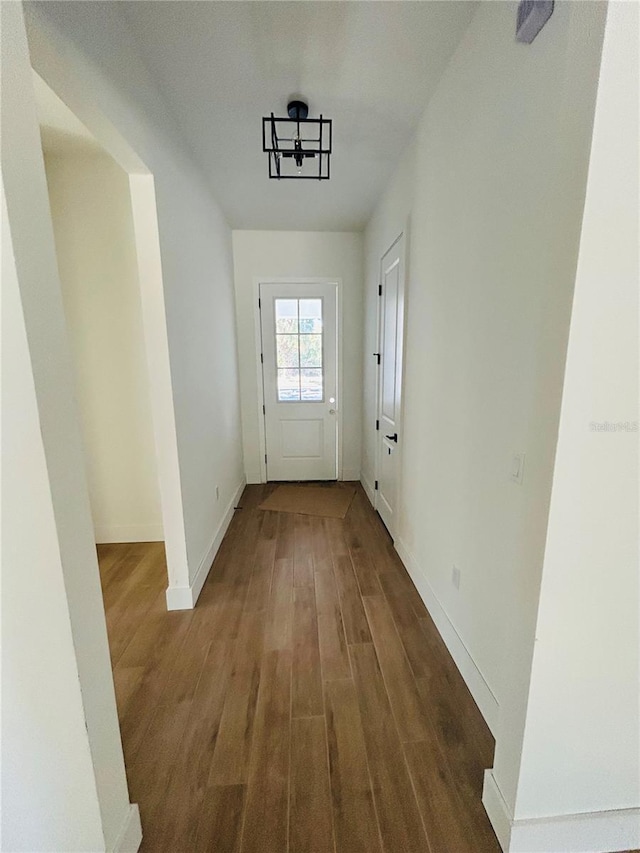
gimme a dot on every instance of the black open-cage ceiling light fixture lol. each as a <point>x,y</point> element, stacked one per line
<point>298,147</point>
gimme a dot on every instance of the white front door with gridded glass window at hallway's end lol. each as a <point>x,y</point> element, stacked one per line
<point>299,369</point>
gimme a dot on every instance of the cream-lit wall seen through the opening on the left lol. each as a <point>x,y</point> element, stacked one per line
<point>95,246</point>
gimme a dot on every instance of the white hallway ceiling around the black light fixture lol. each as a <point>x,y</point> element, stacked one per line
<point>369,66</point>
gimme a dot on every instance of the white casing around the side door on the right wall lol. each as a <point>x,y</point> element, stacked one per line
<point>404,233</point>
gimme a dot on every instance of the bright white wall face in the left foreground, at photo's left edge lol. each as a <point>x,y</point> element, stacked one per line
<point>33,667</point>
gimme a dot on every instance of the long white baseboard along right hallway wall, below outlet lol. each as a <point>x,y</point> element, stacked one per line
<point>480,690</point>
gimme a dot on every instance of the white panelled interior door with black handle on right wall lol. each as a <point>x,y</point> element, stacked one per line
<point>390,331</point>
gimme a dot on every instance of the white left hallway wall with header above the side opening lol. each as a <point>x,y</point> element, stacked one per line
<point>86,54</point>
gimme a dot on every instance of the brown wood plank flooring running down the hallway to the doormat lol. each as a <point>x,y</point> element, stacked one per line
<point>306,705</point>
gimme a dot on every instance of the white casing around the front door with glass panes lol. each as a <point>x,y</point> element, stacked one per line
<point>302,280</point>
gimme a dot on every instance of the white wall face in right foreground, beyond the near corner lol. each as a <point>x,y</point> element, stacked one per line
<point>582,741</point>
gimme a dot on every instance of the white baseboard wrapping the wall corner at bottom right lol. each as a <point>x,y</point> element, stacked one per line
<point>591,832</point>
